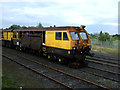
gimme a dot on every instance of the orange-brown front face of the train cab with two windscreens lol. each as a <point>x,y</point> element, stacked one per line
<point>79,39</point>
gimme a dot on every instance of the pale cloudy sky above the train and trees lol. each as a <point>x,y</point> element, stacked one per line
<point>96,15</point>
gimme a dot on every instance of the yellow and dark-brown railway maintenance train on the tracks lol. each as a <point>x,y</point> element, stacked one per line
<point>66,44</point>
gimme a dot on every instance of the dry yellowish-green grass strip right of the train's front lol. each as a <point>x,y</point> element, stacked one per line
<point>104,49</point>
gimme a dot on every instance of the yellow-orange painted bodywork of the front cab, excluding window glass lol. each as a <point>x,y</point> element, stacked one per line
<point>65,44</point>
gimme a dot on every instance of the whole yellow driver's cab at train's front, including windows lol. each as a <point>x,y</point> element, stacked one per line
<point>71,38</point>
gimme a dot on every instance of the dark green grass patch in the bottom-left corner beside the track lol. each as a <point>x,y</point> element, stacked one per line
<point>9,82</point>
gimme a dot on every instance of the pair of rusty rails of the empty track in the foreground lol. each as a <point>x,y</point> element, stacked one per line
<point>57,71</point>
